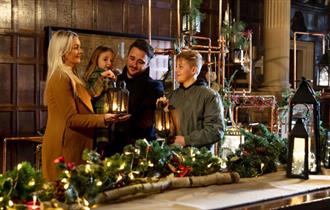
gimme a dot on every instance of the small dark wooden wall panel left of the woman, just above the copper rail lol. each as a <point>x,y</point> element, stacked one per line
<point>26,122</point>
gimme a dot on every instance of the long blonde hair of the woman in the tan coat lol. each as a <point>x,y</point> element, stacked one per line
<point>60,44</point>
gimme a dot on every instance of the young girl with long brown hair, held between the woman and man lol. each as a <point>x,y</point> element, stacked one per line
<point>99,79</point>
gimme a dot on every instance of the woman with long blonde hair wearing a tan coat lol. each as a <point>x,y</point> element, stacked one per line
<point>71,119</point>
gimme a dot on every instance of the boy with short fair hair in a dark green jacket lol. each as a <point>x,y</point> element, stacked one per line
<point>197,110</point>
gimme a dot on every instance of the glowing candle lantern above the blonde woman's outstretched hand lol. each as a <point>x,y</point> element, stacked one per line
<point>118,99</point>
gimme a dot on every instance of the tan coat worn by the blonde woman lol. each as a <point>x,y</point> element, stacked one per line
<point>70,123</point>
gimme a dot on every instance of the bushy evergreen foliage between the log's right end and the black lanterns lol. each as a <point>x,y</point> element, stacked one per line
<point>259,154</point>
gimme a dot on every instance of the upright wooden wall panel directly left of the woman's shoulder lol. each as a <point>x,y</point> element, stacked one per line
<point>26,84</point>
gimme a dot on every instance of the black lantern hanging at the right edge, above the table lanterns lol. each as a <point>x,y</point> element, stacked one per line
<point>323,76</point>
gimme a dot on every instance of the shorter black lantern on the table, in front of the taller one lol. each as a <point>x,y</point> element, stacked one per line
<point>297,166</point>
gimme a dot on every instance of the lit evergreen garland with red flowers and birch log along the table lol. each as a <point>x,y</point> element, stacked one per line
<point>143,166</point>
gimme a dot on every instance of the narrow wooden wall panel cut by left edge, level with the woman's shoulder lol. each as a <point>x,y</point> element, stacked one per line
<point>6,83</point>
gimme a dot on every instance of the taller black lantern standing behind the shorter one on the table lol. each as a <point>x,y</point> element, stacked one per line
<point>304,104</point>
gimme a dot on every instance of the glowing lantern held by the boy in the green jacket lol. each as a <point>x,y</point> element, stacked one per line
<point>163,123</point>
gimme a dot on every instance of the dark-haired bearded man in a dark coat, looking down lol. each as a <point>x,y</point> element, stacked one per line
<point>143,93</point>
